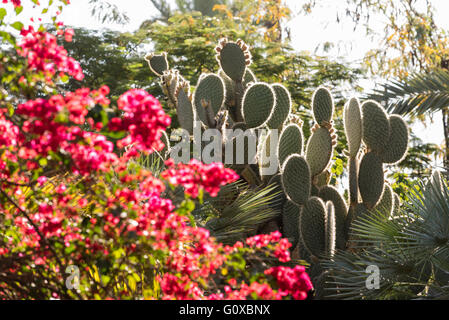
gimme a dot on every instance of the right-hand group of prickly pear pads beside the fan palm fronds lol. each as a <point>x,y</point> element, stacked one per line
<point>385,140</point>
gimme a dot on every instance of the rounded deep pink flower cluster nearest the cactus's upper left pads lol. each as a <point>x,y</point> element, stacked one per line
<point>143,118</point>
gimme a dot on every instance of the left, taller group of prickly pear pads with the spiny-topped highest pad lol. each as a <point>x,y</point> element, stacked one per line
<point>232,98</point>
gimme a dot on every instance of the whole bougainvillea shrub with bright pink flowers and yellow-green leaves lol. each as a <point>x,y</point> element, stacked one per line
<point>80,219</point>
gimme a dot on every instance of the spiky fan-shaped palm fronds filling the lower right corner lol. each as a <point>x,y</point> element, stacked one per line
<point>411,250</point>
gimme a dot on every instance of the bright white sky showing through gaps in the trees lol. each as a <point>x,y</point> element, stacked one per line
<point>307,33</point>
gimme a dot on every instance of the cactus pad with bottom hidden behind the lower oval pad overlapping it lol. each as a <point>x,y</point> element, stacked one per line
<point>290,142</point>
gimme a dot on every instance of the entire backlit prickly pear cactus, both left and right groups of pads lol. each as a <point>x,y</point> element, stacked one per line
<point>315,216</point>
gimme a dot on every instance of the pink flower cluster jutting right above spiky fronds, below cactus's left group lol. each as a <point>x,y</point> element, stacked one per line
<point>196,175</point>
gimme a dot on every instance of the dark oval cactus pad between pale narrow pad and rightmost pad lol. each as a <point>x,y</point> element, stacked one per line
<point>376,127</point>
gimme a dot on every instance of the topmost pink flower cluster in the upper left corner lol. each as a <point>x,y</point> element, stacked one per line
<point>45,55</point>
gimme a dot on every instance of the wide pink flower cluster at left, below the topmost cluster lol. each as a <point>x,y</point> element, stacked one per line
<point>46,125</point>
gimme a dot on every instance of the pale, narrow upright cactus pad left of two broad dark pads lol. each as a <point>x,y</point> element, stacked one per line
<point>353,125</point>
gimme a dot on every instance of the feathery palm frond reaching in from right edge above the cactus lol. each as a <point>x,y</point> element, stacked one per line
<point>418,94</point>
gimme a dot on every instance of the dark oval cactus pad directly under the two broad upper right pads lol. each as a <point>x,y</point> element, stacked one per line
<point>371,179</point>
